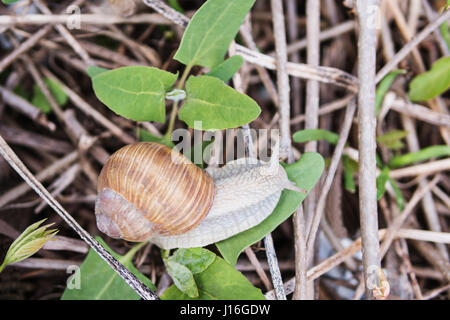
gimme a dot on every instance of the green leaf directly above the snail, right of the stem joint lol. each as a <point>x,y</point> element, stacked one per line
<point>216,105</point>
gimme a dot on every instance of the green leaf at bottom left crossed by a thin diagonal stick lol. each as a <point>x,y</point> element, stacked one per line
<point>100,282</point>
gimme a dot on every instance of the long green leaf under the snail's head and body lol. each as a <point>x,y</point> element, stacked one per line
<point>305,173</point>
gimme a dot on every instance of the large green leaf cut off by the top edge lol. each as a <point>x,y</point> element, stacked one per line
<point>210,32</point>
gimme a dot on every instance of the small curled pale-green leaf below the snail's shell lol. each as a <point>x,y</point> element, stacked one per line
<point>182,278</point>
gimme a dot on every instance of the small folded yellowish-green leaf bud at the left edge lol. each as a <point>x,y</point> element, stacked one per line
<point>28,243</point>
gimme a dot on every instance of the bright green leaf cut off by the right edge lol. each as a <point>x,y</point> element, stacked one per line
<point>432,83</point>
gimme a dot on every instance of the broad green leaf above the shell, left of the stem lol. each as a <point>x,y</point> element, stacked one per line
<point>135,92</point>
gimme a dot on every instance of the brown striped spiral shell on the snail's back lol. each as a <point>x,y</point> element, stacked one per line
<point>147,189</point>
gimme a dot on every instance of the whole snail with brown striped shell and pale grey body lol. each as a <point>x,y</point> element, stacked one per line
<point>149,192</point>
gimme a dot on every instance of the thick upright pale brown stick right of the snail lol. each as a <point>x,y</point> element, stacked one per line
<point>367,143</point>
